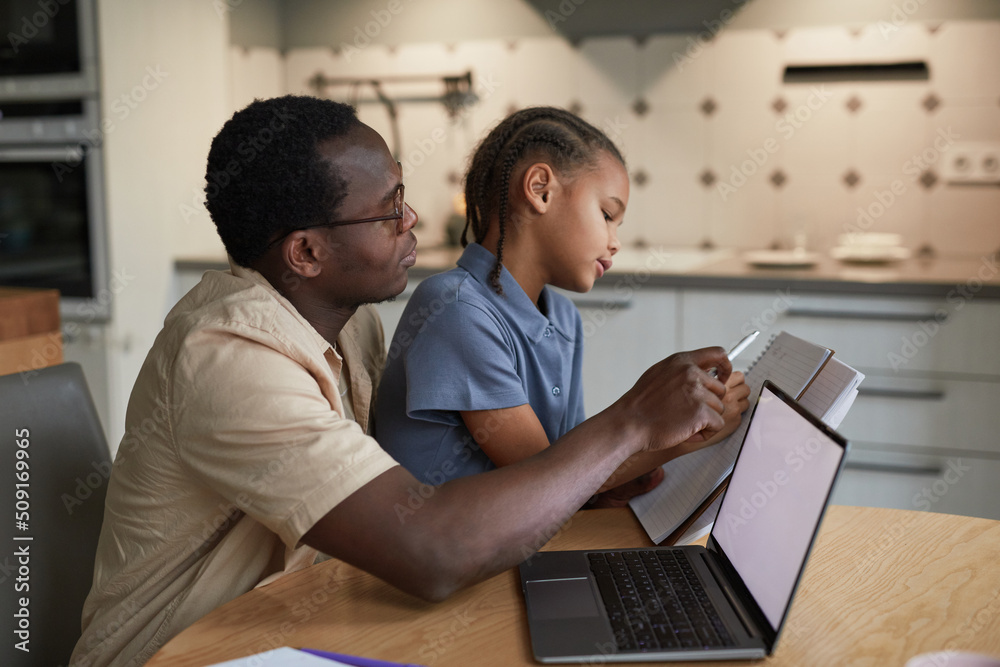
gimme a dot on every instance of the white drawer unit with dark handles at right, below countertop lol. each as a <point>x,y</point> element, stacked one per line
<point>925,430</point>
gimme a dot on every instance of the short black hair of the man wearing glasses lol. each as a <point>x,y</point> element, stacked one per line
<point>265,176</point>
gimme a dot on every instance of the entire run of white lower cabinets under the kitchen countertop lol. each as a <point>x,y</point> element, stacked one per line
<point>925,429</point>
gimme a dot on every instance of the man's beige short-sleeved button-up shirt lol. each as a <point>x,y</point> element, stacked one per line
<point>236,443</point>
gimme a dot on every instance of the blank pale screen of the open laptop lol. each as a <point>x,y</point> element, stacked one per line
<point>774,501</point>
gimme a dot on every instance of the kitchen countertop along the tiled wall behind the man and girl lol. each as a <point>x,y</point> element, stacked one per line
<point>726,269</point>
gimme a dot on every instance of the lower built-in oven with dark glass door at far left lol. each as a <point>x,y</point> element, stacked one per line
<point>52,231</point>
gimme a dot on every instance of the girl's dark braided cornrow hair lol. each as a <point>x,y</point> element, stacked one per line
<point>567,140</point>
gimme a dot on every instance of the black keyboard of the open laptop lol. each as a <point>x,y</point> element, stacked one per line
<point>655,601</point>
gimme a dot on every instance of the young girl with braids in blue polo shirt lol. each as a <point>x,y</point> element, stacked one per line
<point>485,365</point>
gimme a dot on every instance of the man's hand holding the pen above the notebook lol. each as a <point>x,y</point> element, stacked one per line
<point>677,400</point>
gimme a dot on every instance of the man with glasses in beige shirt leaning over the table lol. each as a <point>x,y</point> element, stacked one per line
<point>246,451</point>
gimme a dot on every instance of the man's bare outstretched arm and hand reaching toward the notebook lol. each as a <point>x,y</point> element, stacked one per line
<point>474,527</point>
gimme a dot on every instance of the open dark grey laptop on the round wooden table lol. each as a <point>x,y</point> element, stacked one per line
<point>726,601</point>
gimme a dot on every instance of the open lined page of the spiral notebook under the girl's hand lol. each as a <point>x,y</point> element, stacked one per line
<point>787,361</point>
